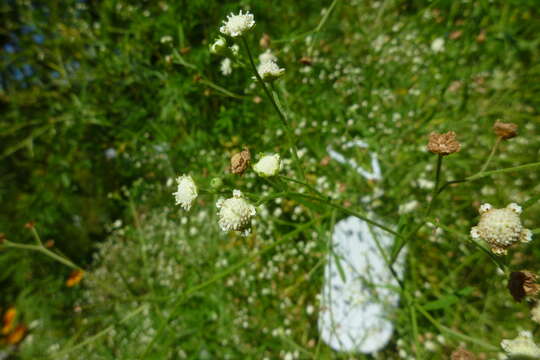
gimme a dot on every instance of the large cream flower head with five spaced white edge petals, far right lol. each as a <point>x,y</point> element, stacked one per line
<point>500,228</point>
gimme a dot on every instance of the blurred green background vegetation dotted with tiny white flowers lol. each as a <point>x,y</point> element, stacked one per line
<point>105,102</point>
